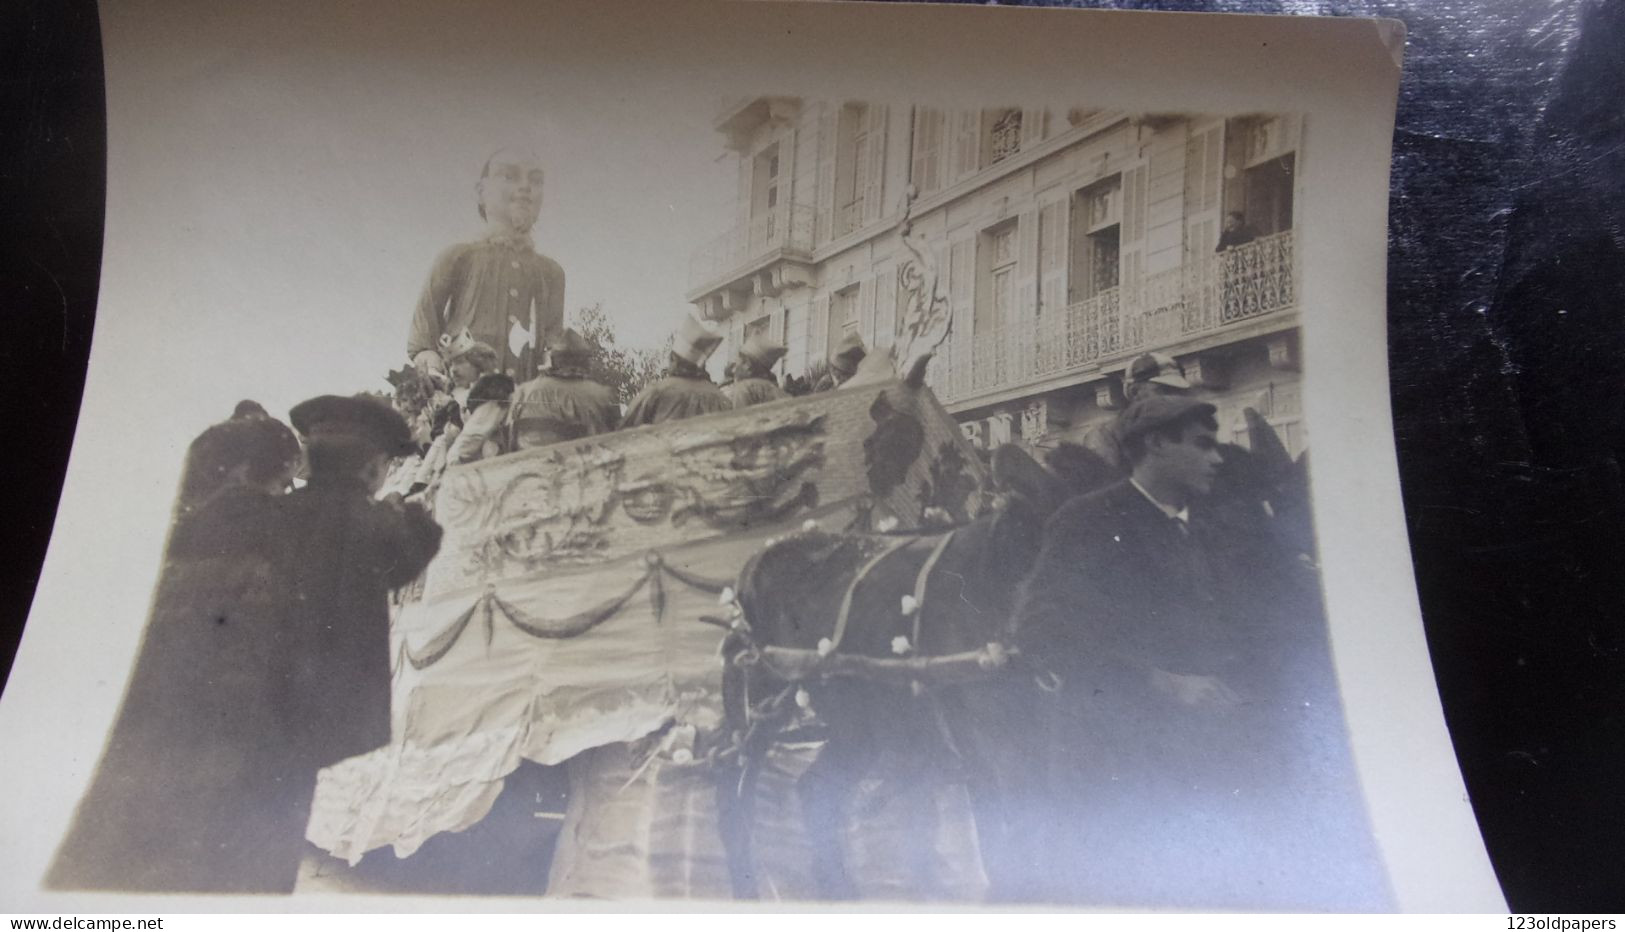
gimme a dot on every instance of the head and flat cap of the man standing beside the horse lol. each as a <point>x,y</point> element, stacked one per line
<point>1174,441</point>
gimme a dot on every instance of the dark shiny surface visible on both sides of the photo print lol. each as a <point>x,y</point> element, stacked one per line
<point>1507,293</point>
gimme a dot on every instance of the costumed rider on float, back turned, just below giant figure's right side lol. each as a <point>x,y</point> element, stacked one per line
<point>563,403</point>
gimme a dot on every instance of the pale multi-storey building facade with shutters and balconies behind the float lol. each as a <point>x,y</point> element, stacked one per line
<point>1067,246</point>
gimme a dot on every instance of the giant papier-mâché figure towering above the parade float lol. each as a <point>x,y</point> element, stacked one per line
<point>496,288</point>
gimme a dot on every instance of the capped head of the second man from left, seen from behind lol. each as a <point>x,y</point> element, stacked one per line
<point>352,438</point>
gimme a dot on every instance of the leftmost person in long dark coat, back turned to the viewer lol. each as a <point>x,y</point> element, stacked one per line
<point>197,782</point>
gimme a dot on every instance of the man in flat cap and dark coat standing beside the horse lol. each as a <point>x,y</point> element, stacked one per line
<point>1127,608</point>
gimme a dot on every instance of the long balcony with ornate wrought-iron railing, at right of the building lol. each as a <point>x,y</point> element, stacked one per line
<point>1161,313</point>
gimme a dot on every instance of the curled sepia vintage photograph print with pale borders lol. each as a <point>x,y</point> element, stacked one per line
<point>568,477</point>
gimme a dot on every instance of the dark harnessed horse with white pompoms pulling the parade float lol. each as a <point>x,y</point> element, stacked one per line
<point>914,725</point>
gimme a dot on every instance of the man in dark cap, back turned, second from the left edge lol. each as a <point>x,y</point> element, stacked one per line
<point>344,554</point>
